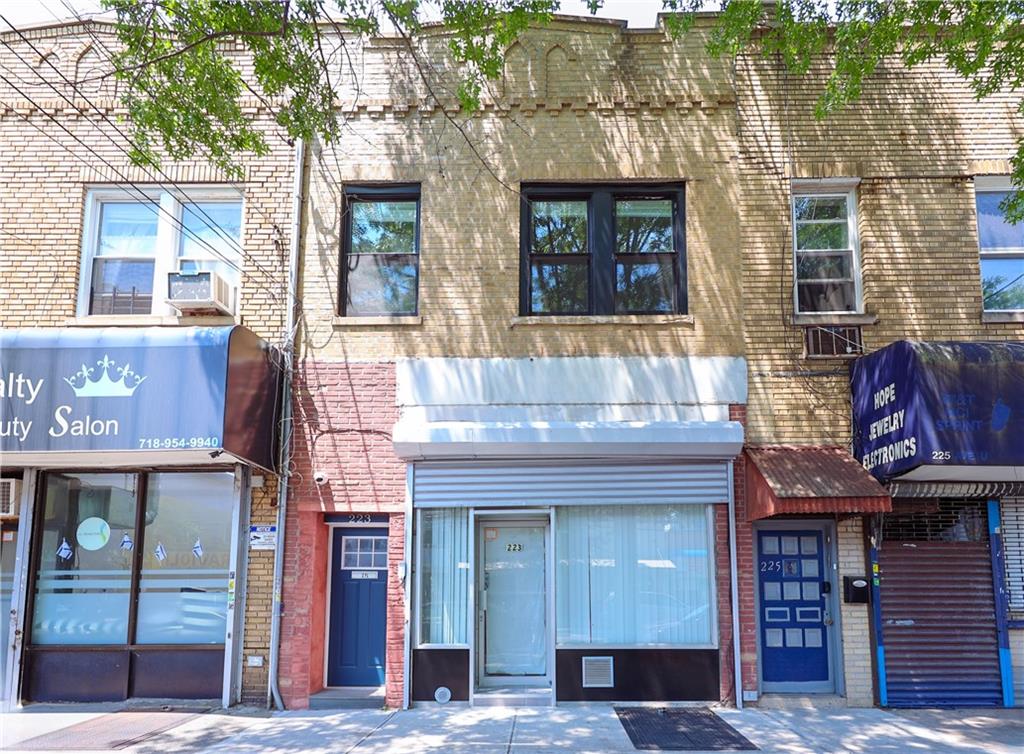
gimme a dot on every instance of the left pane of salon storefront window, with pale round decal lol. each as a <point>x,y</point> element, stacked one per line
<point>83,585</point>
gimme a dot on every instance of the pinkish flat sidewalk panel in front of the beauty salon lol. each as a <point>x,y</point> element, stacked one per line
<point>115,731</point>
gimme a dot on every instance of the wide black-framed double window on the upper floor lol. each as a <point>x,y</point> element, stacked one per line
<point>603,249</point>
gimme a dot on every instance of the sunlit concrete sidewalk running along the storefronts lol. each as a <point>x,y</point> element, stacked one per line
<point>576,730</point>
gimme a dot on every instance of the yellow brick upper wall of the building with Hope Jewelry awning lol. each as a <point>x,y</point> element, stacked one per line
<point>916,141</point>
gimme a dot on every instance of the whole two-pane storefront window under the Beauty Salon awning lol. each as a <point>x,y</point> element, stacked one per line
<point>97,532</point>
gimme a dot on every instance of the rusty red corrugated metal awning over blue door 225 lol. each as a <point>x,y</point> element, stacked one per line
<point>809,481</point>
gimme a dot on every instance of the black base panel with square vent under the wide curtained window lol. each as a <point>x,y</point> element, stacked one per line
<point>643,676</point>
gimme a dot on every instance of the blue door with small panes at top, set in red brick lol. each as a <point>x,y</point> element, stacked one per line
<point>359,608</point>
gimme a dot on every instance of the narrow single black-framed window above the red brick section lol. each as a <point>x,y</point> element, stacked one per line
<point>380,268</point>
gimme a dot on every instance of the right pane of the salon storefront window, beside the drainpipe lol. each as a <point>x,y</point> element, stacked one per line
<point>188,537</point>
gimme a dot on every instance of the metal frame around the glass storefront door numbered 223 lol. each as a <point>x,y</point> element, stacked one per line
<point>479,520</point>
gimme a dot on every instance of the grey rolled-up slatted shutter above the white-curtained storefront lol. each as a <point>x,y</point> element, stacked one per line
<point>483,485</point>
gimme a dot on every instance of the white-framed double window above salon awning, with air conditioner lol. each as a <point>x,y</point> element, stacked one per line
<point>132,243</point>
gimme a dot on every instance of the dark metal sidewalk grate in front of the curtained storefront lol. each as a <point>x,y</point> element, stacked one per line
<point>665,729</point>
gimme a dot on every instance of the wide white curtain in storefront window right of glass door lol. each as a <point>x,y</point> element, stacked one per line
<point>634,575</point>
